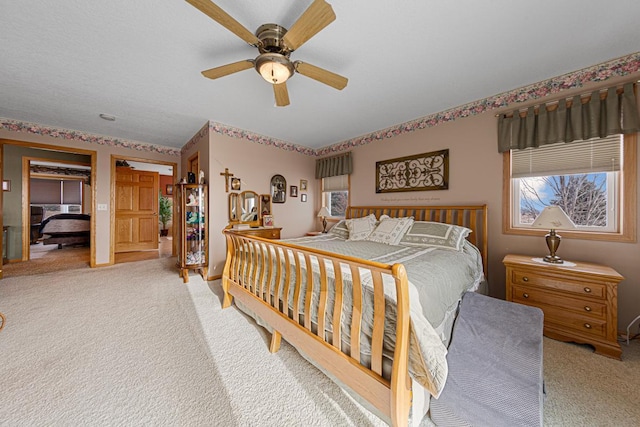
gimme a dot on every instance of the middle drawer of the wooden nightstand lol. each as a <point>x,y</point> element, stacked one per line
<point>539,298</point>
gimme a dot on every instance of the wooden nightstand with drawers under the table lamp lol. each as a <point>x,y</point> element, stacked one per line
<point>580,302</point>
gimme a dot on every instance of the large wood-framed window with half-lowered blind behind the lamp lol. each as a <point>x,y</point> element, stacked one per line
<point>591,180</point>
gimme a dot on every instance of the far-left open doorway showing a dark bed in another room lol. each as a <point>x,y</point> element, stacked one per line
<point>62,181</point>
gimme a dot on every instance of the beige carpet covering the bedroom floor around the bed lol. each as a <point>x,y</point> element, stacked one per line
<point>132,345</point>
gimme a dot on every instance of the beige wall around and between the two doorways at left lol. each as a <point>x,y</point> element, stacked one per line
<point>101,186</point>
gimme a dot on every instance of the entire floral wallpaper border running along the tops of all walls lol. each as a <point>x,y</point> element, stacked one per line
<point>597,73</point>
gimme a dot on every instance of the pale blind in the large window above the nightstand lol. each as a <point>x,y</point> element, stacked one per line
<point>591,156</point>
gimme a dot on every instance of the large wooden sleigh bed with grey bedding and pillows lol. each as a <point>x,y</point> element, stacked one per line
<point>372,302</point>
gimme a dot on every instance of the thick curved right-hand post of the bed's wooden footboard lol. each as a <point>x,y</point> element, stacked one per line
<point>400,380</point>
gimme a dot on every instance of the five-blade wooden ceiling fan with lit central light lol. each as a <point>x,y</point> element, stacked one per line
<point>275,45</point>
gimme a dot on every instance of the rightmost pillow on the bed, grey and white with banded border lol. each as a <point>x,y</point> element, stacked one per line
<point>437,234</point>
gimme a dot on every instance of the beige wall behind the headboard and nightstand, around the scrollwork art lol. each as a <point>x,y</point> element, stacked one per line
<point>475,177</point>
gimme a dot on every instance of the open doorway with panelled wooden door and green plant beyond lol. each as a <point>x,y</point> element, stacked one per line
<point>142,209</point>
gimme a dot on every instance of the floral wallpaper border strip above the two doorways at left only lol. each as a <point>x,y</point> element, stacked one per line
<point>75,135</point>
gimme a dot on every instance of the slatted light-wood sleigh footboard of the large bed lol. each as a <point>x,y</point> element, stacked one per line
<point>314,300</point>
